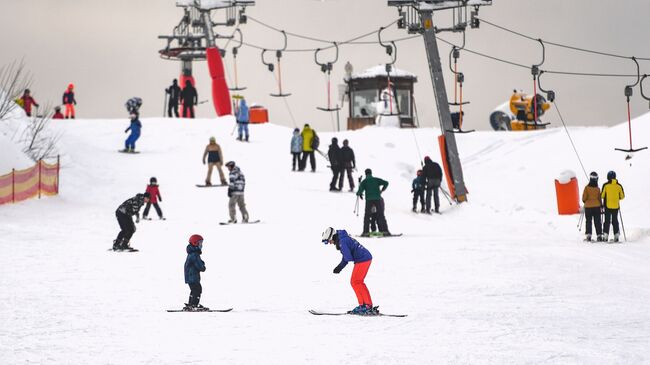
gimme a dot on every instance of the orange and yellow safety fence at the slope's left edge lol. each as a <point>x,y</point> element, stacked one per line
<point>19,185</point>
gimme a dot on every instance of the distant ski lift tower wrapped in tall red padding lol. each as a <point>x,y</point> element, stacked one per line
<point>193,39</point>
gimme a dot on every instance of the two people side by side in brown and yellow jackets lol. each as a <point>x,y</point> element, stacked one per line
<point>605,201</point>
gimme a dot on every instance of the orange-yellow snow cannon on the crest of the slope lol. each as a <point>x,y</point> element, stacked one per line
<point>519,114</point>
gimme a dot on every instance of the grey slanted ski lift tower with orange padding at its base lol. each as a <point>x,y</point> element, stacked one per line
<point>417,17</point>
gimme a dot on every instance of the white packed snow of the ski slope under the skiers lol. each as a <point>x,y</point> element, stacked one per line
<point>499,279</point>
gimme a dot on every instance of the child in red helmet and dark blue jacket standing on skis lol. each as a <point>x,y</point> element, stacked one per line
<point>194,265</point>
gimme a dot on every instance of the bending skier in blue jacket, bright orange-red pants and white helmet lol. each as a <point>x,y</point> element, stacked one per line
<point>352,250</point>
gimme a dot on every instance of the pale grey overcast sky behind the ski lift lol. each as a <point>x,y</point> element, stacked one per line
<point>109,50</point>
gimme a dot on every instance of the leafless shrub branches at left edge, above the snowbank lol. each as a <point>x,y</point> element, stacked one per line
<point>13,81</point>
